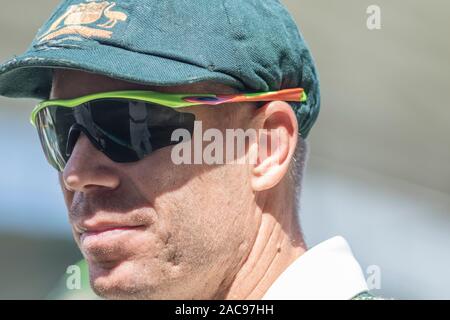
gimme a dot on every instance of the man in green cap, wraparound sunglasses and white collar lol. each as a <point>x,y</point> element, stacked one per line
<point>122,79</point>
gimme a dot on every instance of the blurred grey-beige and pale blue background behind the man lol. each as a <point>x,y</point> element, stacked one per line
<point>379,165</point>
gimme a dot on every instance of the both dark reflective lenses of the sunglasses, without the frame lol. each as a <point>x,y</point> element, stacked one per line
<point>124,130</point>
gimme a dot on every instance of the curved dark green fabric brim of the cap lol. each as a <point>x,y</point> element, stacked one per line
<point>30,75</point>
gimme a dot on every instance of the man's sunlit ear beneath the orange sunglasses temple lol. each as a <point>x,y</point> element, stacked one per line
<point>274,148</point>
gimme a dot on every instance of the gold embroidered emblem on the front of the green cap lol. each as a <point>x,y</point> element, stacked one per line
<point>76,17</point>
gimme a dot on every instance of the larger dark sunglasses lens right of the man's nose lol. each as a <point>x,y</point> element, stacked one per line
<point>128,131</point>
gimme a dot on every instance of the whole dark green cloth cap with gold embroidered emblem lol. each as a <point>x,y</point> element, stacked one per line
<point>251,45</point>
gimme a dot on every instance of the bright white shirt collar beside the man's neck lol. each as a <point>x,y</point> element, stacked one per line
<point>328,271</point>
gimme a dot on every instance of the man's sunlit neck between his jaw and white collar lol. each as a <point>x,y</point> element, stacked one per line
<point>278,243</point>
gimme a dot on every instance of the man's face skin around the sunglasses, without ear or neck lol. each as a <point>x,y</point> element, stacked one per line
<point>155,229</point>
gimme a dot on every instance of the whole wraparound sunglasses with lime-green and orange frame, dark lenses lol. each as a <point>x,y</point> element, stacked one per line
<point>128,125</point>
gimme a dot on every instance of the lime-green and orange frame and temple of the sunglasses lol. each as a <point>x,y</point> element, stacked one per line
<point>175,100</point>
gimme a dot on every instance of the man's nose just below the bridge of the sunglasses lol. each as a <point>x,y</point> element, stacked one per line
<point>88,169</point>
